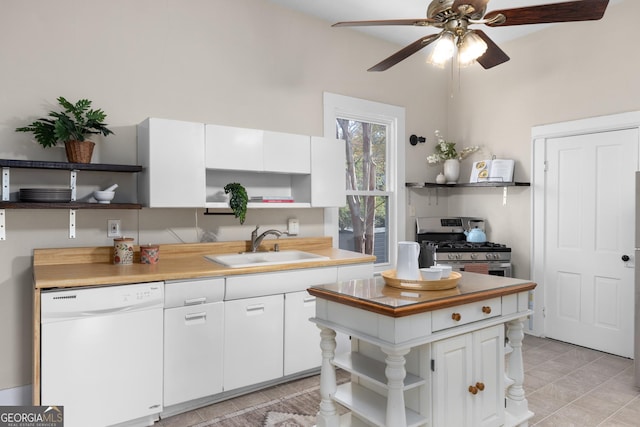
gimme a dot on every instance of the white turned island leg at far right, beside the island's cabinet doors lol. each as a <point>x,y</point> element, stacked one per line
<point>517,404</point>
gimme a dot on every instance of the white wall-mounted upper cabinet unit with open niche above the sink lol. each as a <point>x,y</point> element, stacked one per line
<point>188,164</point>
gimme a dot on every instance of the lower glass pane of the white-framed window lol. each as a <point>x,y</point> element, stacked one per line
<point>363,226</point>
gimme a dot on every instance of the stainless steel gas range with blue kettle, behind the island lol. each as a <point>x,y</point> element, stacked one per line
<point>443,241</point>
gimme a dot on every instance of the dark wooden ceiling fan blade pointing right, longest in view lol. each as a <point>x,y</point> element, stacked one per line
<point>584,10</point>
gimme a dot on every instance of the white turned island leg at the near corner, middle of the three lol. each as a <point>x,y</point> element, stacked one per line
<point>395,372</point>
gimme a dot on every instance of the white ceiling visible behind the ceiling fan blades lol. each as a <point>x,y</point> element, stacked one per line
<point>334,11</point>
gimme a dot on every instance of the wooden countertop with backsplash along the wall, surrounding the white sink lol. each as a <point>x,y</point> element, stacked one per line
<point>71,267</point>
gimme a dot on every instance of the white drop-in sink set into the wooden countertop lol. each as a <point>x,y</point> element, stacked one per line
<point>253,259</point>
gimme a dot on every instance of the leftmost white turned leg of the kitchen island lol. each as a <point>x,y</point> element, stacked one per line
<point>328,414</point>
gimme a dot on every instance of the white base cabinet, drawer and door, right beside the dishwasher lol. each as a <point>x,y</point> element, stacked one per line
<point>193,336</point>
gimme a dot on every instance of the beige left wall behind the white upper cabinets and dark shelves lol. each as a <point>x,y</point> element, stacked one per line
<point>242,62</point>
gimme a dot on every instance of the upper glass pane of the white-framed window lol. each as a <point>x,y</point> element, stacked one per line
<point>366,154</point>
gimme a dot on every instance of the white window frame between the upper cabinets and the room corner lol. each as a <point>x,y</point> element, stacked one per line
<point>340,106</point>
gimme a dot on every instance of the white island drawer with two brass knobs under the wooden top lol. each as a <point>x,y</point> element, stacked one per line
<point>467,313</point>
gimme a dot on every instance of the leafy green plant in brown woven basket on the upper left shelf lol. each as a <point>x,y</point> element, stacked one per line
<point>72,127</point>
